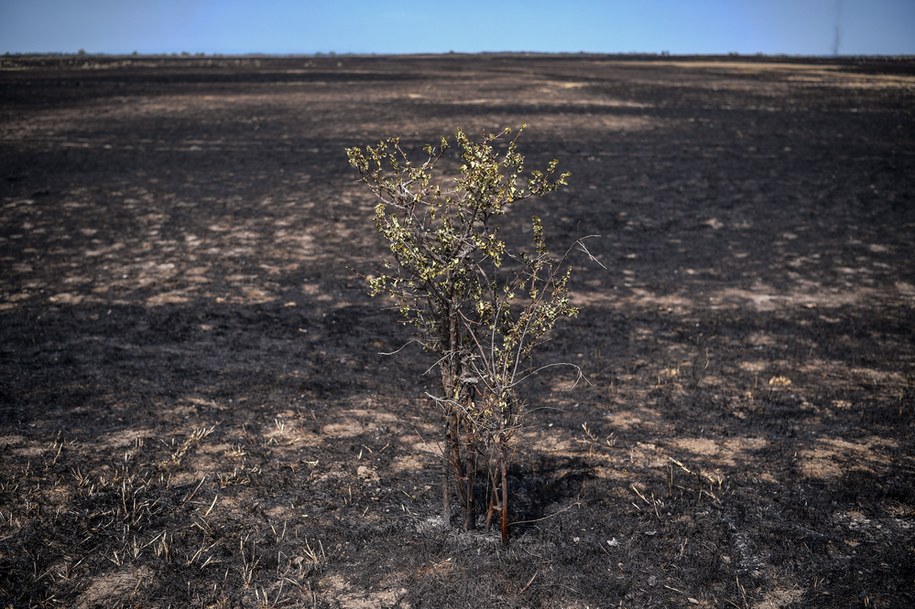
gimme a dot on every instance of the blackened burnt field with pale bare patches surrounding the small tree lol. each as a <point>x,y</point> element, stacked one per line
<point>194,411</point>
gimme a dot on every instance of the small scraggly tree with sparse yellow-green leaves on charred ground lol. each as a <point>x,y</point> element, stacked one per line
<point>480,307</point>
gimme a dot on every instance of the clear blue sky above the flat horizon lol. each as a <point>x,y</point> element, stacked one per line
<point>796,27</point>
